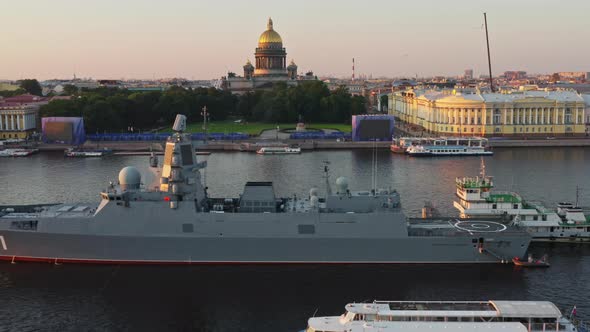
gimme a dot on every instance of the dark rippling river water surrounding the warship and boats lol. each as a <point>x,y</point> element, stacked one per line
<point>42,297</point>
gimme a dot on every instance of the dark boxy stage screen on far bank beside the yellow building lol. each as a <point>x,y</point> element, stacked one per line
<point>372,127</point>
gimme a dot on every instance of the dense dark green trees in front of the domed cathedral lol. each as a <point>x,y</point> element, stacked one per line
<point>115,110</point>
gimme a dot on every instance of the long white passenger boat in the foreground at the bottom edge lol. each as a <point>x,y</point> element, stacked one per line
<point>434,316</point>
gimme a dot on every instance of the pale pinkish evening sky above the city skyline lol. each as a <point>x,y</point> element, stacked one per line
<point>199,39</point>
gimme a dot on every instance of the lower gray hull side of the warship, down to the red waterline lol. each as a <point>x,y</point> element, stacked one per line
<point>224,250</point>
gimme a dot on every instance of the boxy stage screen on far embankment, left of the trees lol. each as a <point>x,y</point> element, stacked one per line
<point>63,130</point>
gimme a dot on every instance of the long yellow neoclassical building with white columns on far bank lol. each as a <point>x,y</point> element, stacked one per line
<point>510,113</point>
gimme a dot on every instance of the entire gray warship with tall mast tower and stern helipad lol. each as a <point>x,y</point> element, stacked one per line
<point>175,221</point>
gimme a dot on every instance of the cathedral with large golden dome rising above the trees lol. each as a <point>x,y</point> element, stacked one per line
<point>270,66</point>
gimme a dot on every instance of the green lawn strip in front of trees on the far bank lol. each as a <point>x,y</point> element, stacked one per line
<point>255,128</point>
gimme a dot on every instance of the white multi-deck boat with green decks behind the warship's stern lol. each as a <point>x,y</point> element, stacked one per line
<point>475,199</point>
